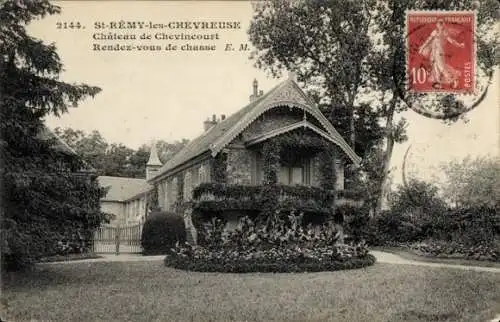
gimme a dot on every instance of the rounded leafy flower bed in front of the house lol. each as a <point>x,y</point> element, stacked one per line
<point>278,245</point>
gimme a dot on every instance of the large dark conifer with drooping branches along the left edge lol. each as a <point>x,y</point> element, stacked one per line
<point>43,200</point>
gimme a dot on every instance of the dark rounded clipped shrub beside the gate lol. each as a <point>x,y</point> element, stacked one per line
<point>161,231</point>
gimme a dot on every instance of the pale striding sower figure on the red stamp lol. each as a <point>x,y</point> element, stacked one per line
<point>434,49</point>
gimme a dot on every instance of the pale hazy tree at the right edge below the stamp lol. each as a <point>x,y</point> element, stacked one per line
<point>472,181</point>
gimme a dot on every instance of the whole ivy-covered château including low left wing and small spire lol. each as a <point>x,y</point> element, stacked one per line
<point>226,168</point>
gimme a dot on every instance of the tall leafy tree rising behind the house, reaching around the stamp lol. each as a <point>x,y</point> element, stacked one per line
<point>342,50</point>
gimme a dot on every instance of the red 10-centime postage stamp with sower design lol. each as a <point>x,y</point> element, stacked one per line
<point>440,51</point>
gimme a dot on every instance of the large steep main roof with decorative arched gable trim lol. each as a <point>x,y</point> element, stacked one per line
<point>220,135</point>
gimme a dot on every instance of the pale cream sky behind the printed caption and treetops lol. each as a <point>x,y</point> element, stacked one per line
<point>167,94</point>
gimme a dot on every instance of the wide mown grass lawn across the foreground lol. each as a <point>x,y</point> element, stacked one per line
<point>148,291</point>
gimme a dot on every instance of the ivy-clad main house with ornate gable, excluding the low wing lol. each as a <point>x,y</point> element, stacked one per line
<point>235,147</point>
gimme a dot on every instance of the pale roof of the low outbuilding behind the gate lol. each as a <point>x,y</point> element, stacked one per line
<point>122,189</point>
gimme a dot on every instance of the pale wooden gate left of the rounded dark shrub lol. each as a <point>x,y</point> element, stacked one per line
<point>121,239</point>
